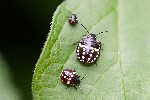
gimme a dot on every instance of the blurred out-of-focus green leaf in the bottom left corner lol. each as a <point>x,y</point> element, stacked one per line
<point>8,90</point>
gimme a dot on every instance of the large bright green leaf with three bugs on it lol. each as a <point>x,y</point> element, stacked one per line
<point>123,68</point>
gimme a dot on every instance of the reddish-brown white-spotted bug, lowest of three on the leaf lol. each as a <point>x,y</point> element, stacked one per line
<point>70,78</point>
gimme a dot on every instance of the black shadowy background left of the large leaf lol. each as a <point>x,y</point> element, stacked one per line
<point>24,25</point>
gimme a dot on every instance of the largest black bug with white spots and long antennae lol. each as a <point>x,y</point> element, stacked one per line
<point>88,49</point>
